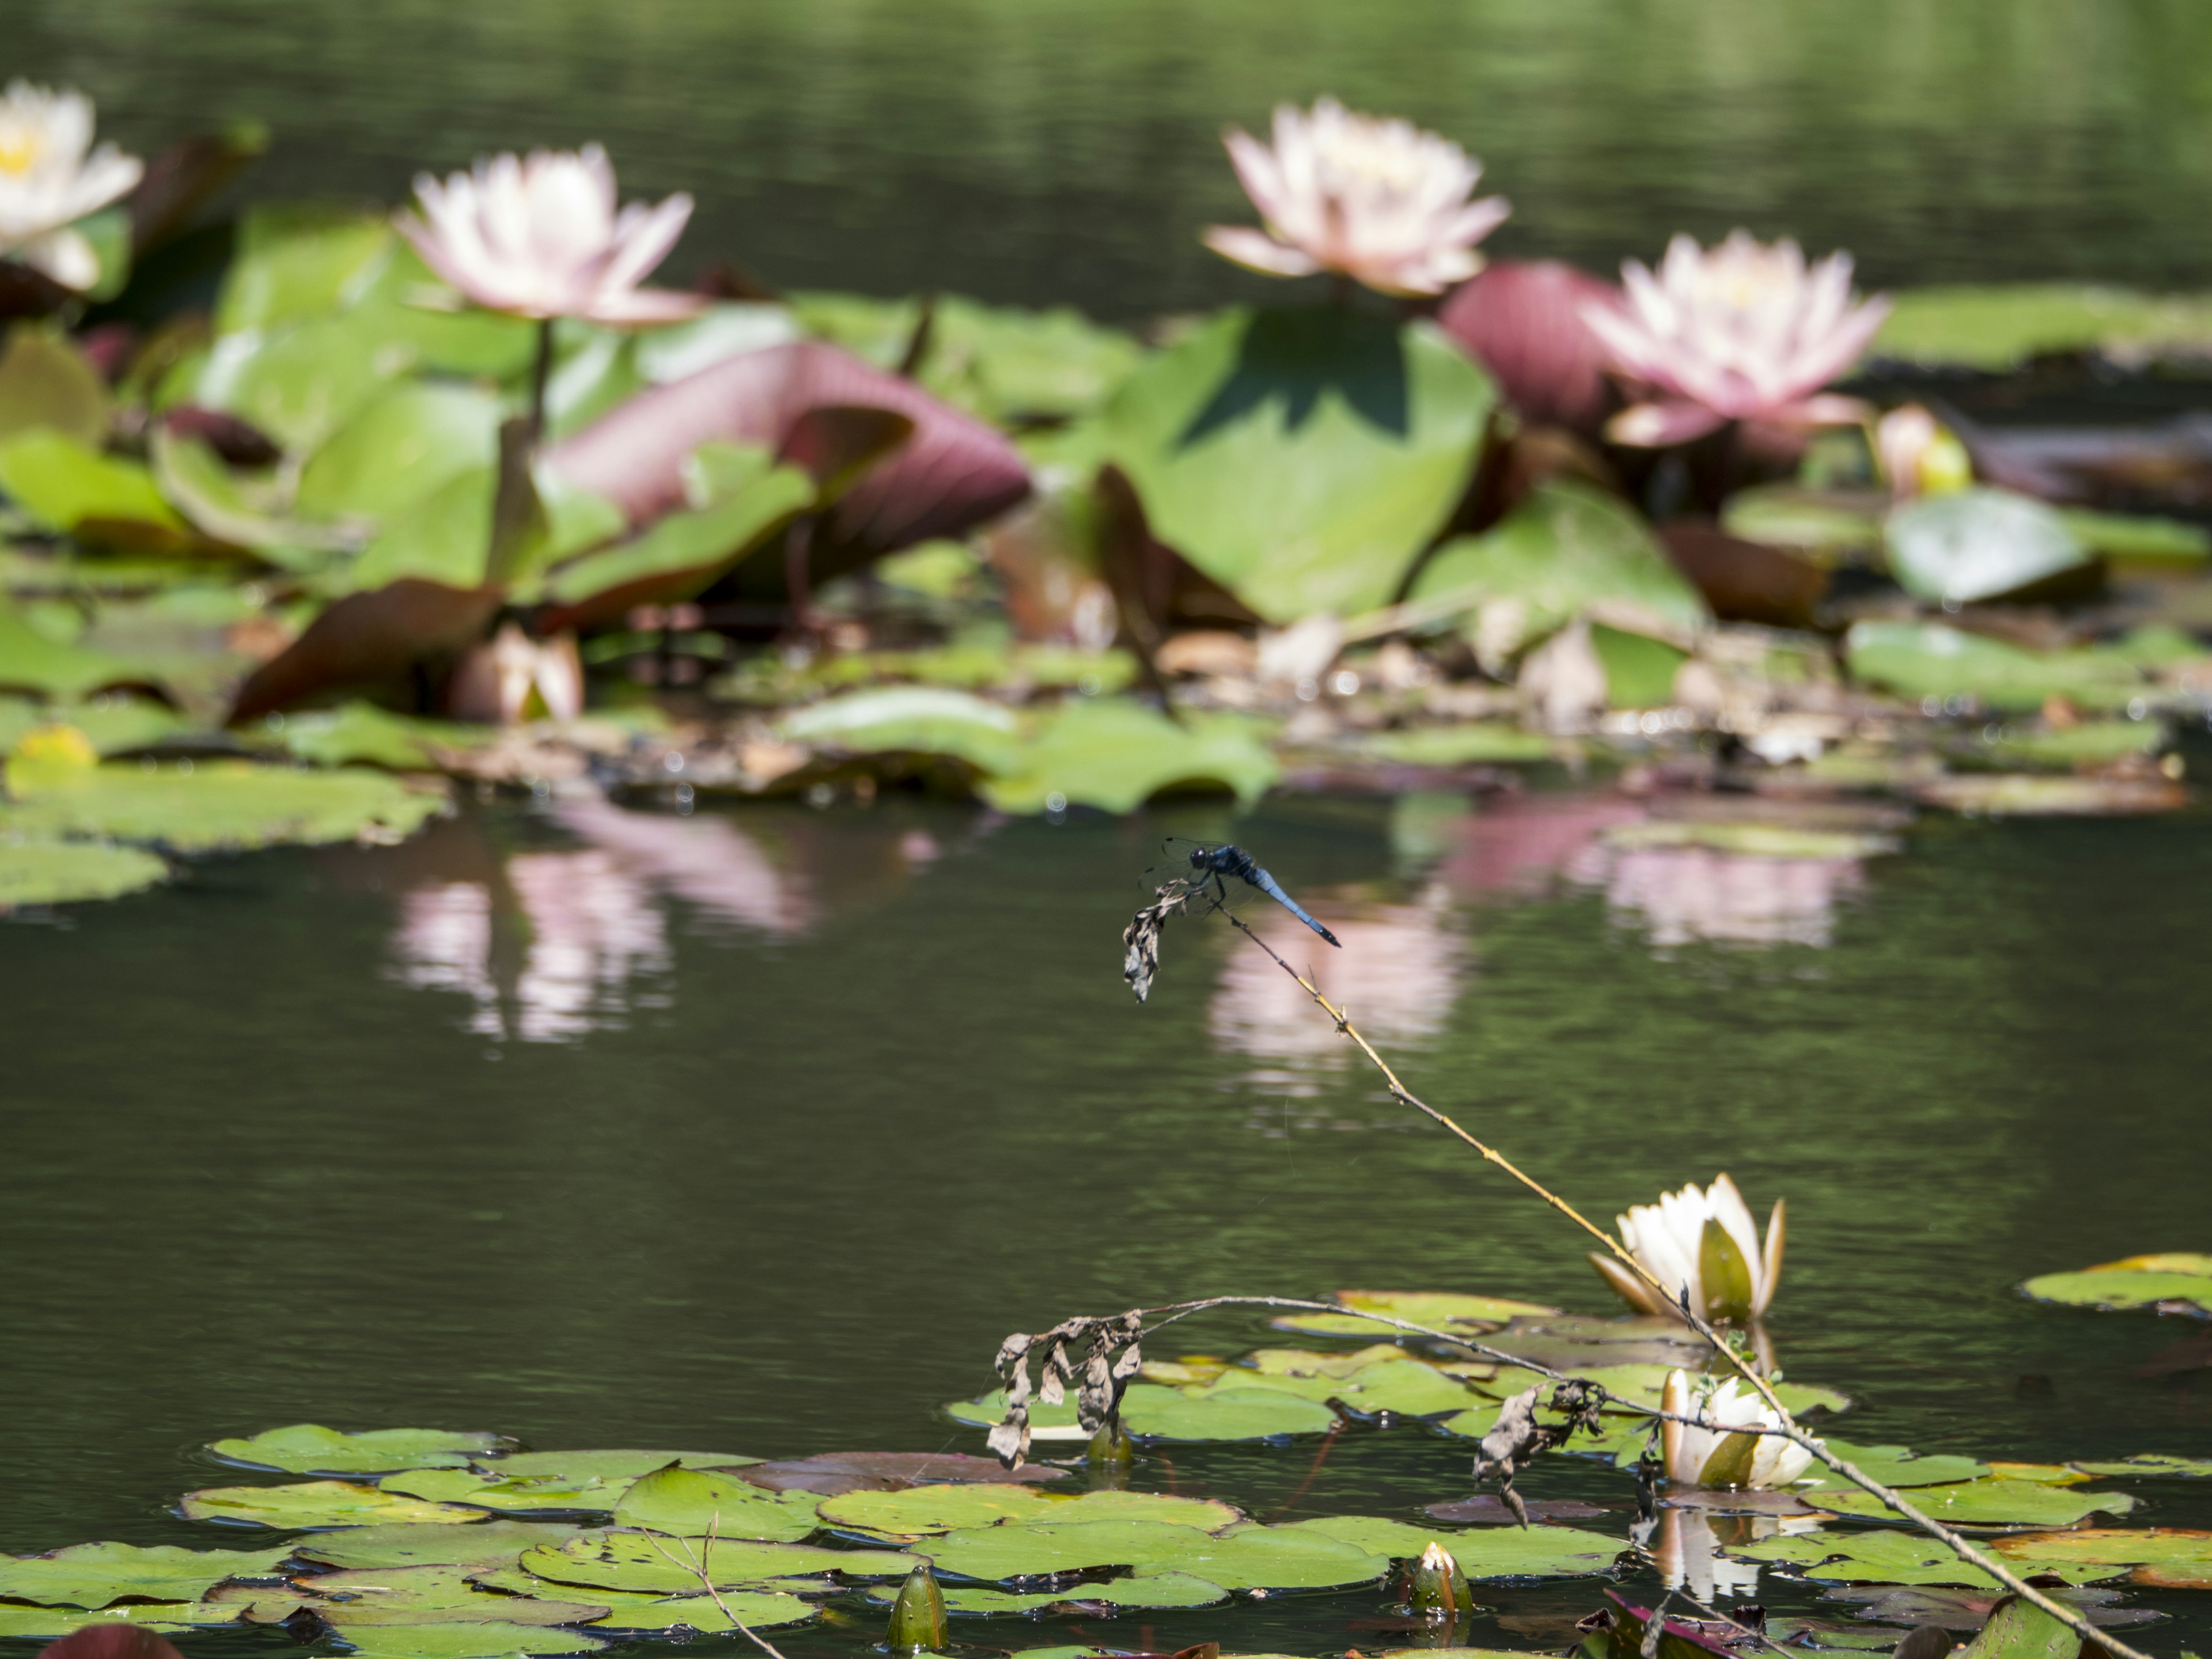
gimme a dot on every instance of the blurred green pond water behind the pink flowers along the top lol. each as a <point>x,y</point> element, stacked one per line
<point>1067,152</point>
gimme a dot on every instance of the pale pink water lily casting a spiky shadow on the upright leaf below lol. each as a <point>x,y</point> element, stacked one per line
<point>1375,200</point>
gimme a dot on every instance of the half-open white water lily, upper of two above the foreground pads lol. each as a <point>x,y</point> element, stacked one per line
<point>1700,1244</point>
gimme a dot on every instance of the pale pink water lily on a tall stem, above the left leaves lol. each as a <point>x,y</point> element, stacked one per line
<point>541,238</point>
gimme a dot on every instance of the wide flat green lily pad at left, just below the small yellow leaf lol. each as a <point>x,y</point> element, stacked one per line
<point>225,806</point>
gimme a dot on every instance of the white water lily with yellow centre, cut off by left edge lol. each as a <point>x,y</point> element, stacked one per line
<point>52,176</point>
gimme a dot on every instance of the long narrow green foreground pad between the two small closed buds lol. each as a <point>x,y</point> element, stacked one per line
<point>1238,1561</point>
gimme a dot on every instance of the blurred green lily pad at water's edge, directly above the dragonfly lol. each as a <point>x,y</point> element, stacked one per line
<point>1116,755</point>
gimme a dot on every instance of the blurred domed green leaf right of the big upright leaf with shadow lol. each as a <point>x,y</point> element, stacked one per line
<point>1558,554</point>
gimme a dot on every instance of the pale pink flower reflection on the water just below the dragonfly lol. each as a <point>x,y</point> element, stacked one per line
<point>1397,972</point>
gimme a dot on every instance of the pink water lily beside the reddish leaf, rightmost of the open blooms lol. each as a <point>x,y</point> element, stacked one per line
<point>1735,333</point>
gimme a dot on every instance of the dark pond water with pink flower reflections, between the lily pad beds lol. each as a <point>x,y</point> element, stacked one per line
<point>612,1127</point>
